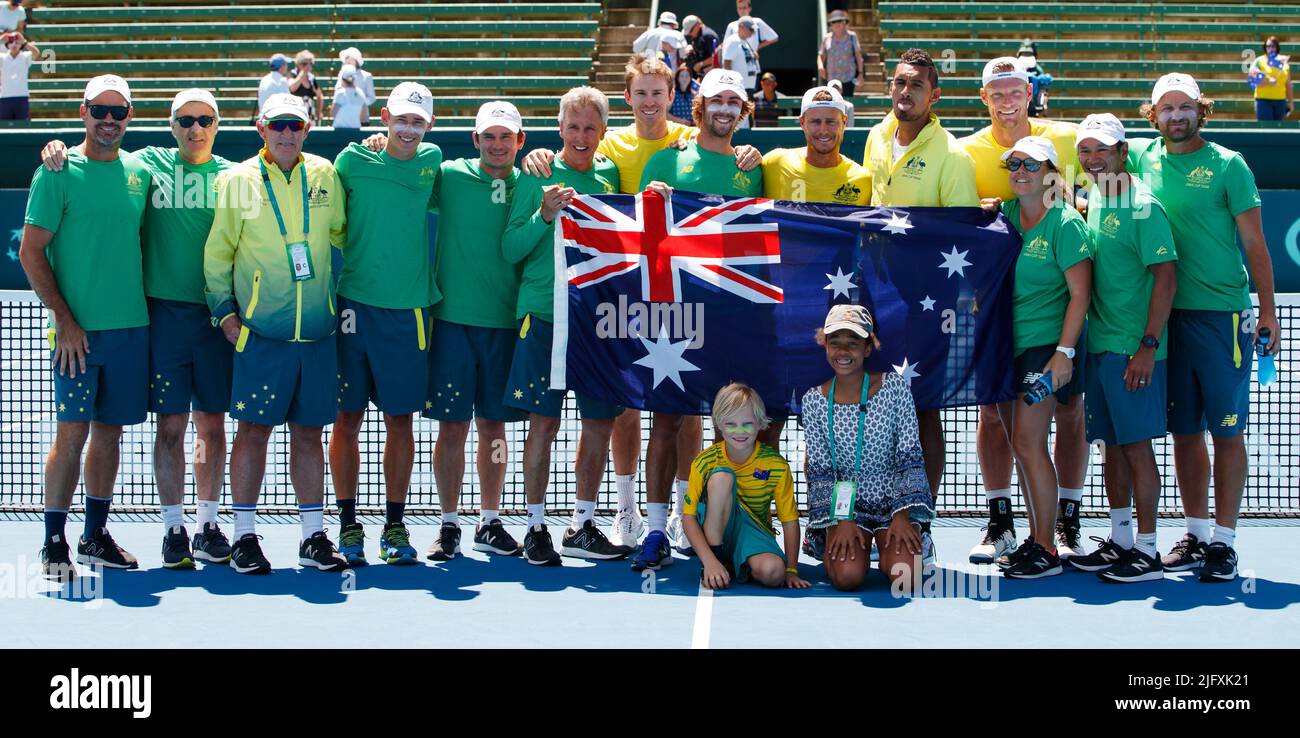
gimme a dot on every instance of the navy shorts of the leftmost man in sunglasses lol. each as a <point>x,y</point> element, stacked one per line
<point>115,388</point>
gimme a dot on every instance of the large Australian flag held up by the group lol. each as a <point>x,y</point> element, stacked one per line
<point>661,303</point>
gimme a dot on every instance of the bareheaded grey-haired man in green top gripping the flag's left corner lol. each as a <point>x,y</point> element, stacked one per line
<point>530,241</point>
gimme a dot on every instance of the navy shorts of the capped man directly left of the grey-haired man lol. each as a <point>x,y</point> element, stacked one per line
<point>469,372</point>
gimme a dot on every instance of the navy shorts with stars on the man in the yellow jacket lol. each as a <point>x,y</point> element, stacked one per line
<point>285,381</point>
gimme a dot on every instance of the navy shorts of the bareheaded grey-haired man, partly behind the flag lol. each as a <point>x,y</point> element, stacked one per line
<point>528,388</point>
